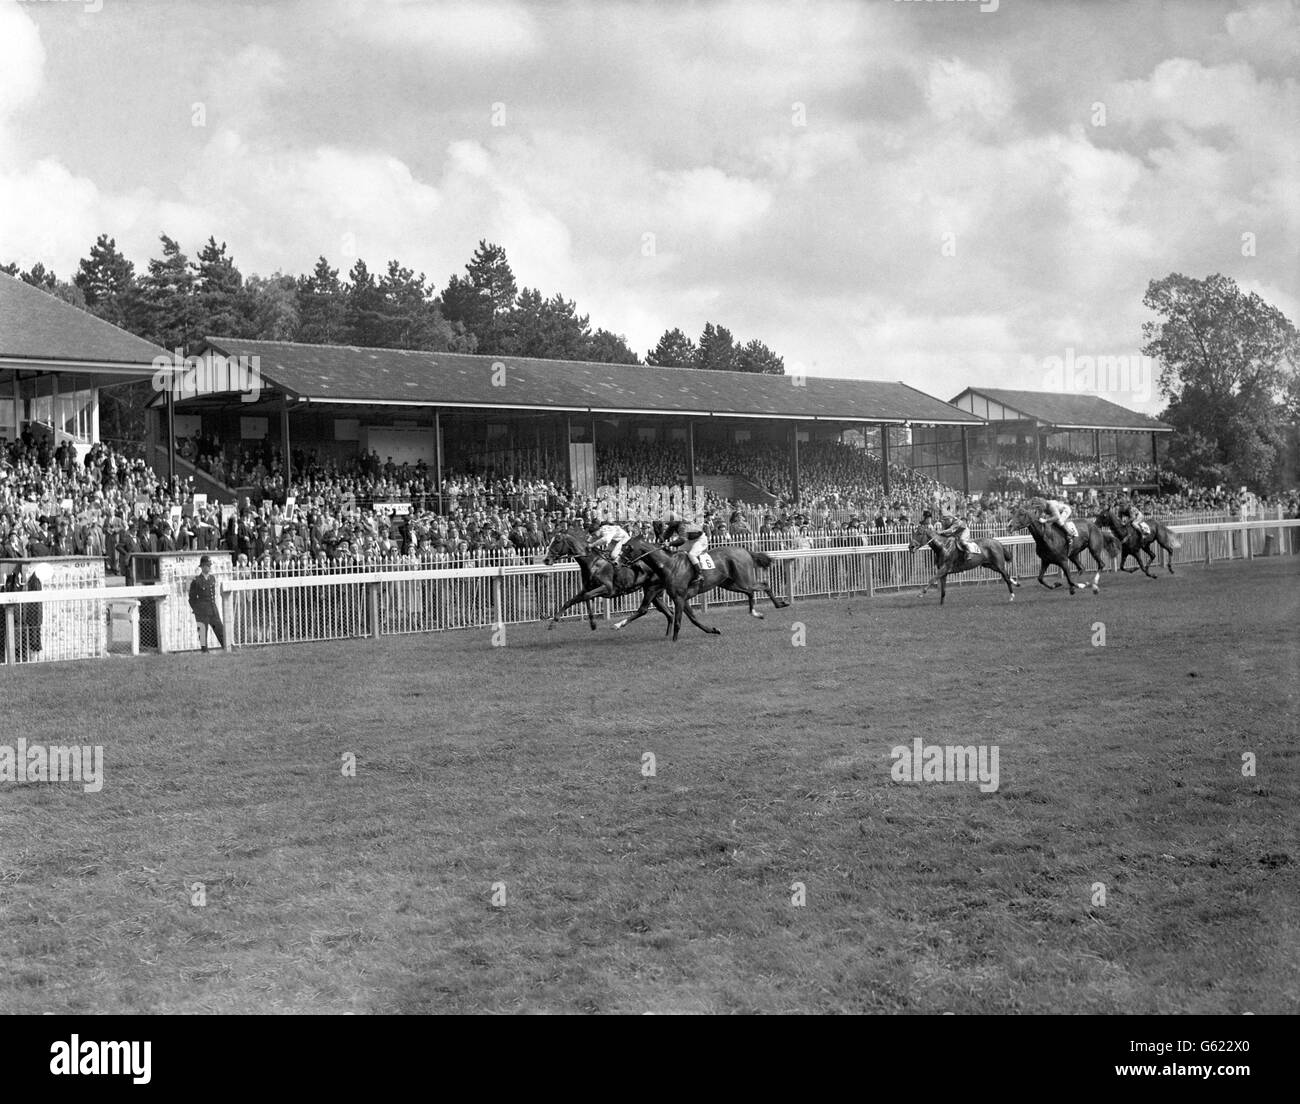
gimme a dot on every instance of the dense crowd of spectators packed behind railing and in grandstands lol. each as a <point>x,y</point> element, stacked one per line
<point>371,513</point>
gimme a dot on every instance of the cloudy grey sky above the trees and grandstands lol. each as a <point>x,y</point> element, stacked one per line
<point>947,194</point>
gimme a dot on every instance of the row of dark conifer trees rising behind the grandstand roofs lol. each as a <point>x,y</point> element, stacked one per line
<point>176,302</point>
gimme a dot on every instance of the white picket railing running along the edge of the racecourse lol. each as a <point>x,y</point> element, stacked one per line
<point>314,608</point>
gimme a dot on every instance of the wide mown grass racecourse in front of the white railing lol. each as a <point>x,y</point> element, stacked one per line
<point>523,765</point>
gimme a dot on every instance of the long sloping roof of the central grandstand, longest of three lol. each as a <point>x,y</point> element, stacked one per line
<point>341,374</point>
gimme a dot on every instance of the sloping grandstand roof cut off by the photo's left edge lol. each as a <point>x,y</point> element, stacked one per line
<point>36,326</point>
